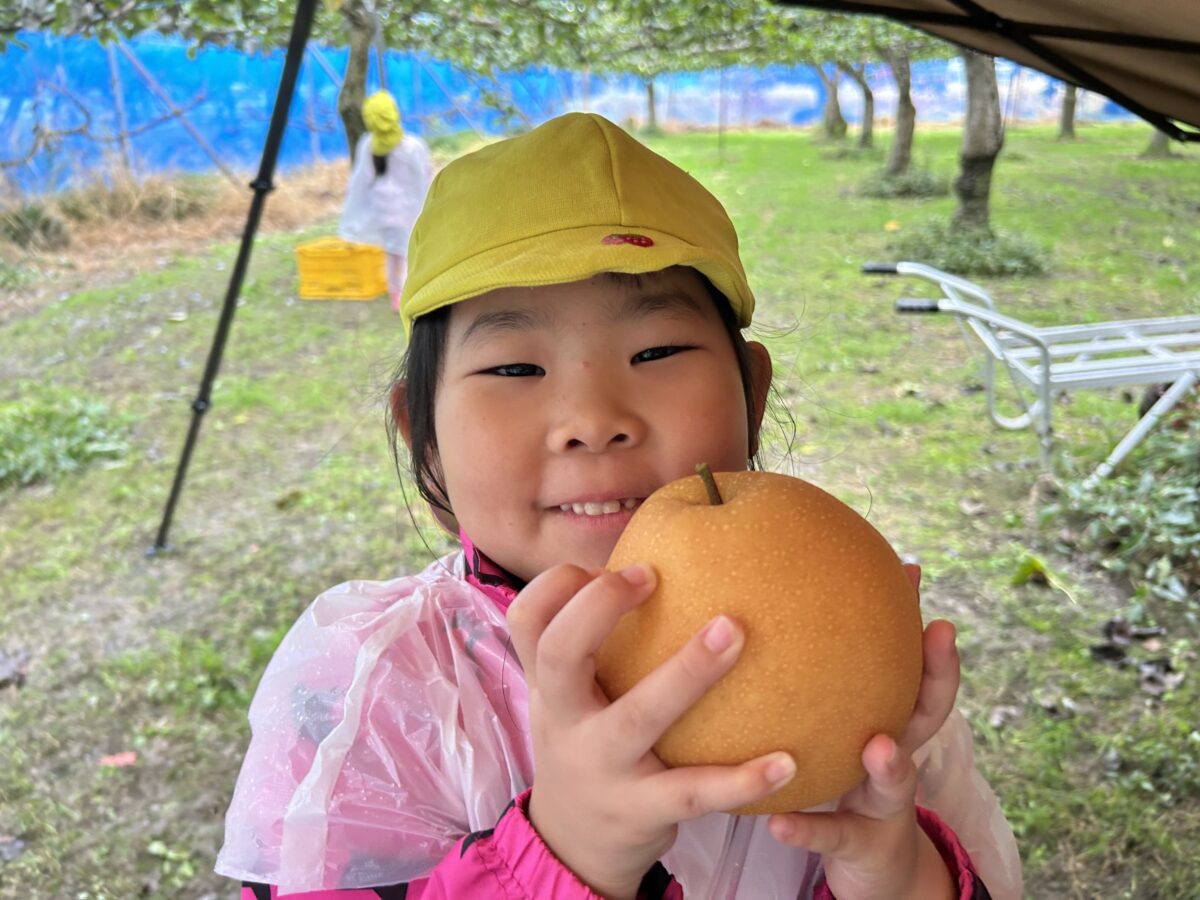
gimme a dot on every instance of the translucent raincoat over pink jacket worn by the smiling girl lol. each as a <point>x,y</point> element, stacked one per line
<point>347,793</point>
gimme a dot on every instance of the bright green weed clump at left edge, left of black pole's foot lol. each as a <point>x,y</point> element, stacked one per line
<point>50,433</point>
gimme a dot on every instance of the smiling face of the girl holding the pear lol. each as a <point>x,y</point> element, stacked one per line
<point>561,409</point>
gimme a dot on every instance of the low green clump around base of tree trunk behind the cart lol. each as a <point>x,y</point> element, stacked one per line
<point>965,251</point>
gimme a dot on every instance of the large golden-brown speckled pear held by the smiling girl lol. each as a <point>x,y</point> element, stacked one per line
<point>833,632</point>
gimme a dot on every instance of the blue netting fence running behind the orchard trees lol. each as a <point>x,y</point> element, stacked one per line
<point>65,104</point>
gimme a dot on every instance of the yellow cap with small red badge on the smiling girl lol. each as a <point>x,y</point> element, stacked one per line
<point>572,199</point>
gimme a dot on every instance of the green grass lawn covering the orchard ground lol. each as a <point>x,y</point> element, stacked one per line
<point>293,489</point>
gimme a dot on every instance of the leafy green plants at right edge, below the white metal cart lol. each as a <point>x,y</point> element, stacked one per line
<point>1145,521</point>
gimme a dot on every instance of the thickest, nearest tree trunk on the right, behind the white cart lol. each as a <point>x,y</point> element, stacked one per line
<point>982,140</point>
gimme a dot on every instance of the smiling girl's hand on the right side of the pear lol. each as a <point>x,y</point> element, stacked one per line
<point>872,844</point>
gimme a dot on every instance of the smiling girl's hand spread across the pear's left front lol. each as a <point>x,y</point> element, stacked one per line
<point>602,800</point>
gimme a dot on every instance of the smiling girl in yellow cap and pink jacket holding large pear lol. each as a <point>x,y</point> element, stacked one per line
<point>574,315</point>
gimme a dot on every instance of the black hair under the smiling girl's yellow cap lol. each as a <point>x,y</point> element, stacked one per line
<point>421,369</point>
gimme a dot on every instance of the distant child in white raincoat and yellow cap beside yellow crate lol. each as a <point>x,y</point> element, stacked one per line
<point>392,176</point>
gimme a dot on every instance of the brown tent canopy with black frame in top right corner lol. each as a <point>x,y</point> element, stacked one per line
<point>1144,56</point>
